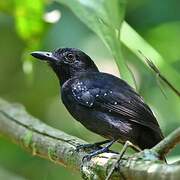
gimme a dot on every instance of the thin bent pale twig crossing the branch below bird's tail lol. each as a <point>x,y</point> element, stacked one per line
<point>114,166</point>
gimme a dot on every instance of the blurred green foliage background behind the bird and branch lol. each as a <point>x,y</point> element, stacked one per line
<point>46,25</point>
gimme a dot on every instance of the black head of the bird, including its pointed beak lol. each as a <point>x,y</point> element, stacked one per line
<point>67,62</point>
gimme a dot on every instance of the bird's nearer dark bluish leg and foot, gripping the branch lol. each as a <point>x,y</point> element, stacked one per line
<point>102,150</point>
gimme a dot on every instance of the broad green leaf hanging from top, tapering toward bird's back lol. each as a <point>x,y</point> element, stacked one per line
<point>104,17</point>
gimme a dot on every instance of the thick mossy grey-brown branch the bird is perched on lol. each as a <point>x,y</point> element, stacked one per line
<point>52,144</point>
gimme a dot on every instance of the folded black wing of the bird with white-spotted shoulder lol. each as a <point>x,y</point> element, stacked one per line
<point>123,102</point>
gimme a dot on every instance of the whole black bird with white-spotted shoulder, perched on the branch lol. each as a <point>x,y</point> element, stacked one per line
<point>103,103</point>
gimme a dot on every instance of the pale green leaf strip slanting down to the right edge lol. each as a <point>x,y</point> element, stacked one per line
<point>132,40</point>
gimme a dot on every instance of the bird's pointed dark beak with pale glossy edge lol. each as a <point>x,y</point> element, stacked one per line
<point>46,56</point>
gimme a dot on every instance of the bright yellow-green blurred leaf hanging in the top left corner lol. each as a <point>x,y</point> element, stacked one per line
<point>29,18</point>
